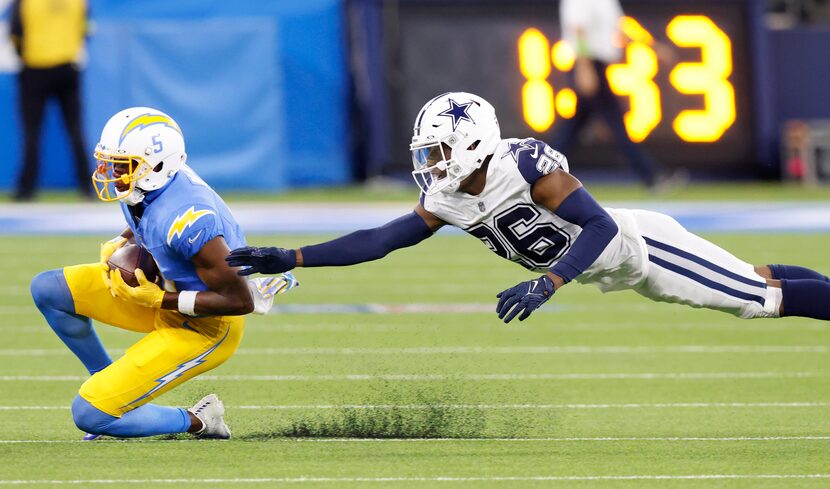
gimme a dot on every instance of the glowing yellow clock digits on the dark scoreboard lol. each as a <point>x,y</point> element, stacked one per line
<point>633,77</point>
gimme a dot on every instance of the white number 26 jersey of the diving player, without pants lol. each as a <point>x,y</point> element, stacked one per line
<point>505,218</point>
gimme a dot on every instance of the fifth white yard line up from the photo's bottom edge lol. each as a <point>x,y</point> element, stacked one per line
<point>481,350</point>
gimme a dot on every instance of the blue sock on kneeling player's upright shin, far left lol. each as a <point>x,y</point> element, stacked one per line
<point>52,296</point>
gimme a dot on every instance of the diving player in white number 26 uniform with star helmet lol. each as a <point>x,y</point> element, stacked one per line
<point>517,197</point>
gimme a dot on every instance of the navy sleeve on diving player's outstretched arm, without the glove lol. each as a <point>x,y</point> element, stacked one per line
<point>368,244</point>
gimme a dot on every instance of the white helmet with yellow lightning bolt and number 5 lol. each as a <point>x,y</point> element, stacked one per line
<point>140,150</point>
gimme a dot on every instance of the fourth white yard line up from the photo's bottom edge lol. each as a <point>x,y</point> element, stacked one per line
<point>475,377</point>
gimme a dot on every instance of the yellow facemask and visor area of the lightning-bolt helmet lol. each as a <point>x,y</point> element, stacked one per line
<point>115,175</point>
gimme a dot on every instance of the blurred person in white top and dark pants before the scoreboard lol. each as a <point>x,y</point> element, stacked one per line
<point>592,28</point>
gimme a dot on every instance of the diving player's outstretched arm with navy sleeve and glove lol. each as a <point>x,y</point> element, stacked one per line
<point>357,247</point>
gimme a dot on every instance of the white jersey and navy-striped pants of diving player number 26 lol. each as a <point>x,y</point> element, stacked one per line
<point>651,253</point>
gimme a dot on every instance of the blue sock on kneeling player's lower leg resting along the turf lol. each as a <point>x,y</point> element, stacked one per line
<point>146,420</point>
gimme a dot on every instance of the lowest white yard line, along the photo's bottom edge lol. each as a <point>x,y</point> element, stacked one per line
<point>312,479</point>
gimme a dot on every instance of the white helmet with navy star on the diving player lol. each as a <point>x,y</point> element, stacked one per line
<point>454,133</point>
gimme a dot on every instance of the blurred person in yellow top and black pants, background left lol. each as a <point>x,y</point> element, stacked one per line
<point>49,38</point>
